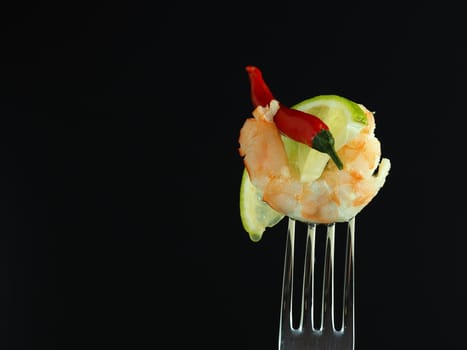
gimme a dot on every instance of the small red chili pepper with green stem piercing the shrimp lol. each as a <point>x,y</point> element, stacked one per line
<point>299,126</point>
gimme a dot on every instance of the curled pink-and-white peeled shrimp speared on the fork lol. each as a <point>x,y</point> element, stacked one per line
<point>336,196</point>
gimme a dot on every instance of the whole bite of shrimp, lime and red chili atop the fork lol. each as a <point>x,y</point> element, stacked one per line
<point>317,162</point>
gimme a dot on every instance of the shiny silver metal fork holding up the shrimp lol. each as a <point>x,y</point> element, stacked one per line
<point>326,334</point>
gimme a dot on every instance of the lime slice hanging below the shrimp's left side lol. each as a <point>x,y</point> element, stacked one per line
<point>256,215</point>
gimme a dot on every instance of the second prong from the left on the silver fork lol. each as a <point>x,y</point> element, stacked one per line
<point>307,312</point>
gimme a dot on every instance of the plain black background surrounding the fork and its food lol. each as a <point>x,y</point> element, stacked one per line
<point>120,172</point>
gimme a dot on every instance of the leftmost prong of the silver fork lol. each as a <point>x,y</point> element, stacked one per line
<point>287,282</point>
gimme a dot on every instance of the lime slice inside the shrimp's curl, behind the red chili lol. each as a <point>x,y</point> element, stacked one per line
<point>345,120</point>
